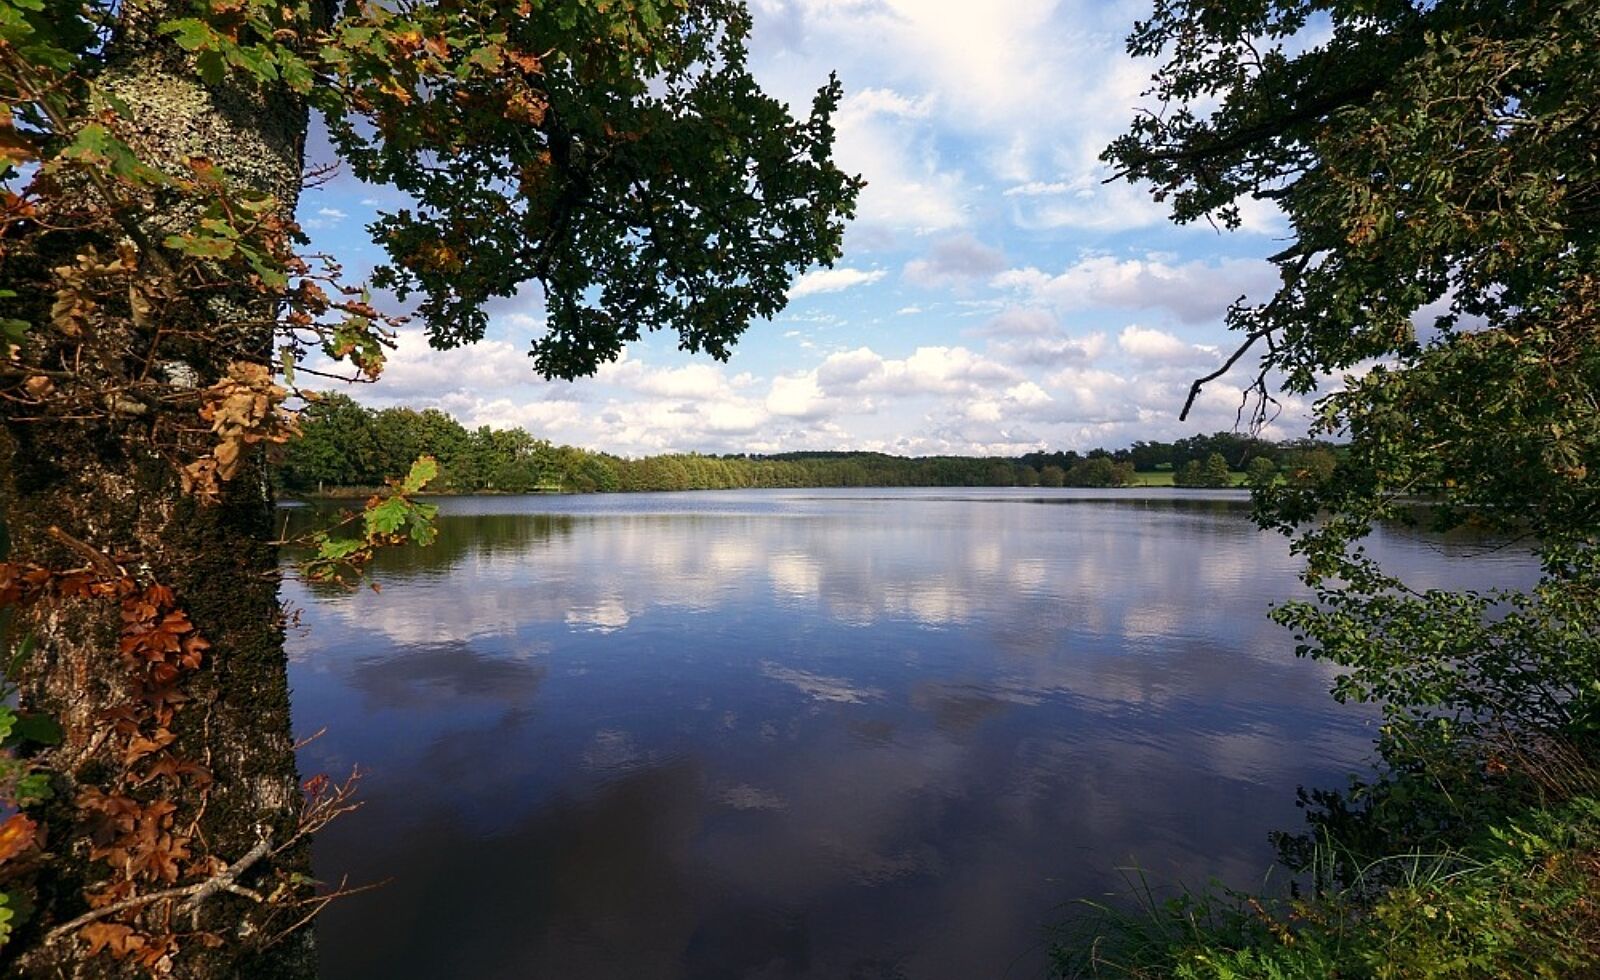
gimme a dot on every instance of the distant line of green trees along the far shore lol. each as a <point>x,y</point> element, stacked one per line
<point>348,446</point>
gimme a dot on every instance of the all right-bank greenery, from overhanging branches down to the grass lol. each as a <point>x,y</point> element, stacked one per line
<point>1436,164</point>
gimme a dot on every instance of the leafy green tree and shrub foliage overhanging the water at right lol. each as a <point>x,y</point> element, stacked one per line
<point>1436,164</point>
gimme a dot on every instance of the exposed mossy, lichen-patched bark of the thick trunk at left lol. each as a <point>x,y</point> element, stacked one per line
<point>106,486</point>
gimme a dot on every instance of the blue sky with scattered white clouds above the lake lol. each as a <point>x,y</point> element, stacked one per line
<point>996,295</point>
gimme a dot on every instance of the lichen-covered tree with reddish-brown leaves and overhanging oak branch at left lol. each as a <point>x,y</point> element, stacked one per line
<point>617,158</point>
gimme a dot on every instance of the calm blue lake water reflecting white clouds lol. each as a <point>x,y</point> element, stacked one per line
<point>809,734</point>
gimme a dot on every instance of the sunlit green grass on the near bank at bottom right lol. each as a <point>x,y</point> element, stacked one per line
<point>1521,902</point>
